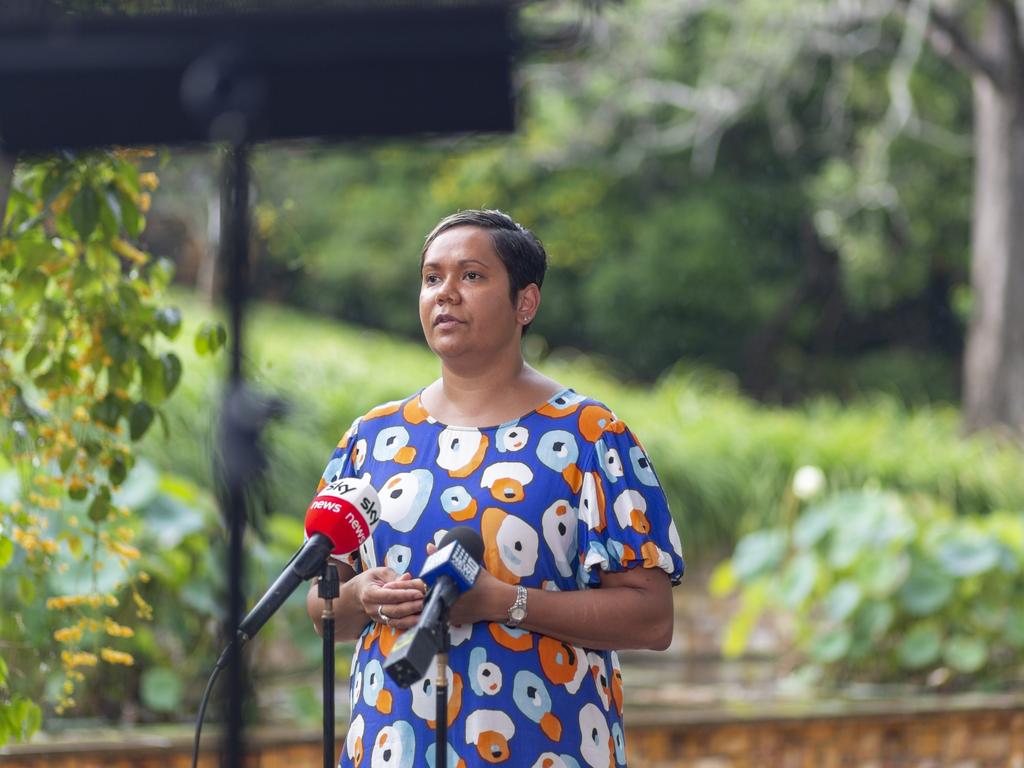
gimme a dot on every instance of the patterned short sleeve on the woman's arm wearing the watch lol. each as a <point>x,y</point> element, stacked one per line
<point>624,516</point>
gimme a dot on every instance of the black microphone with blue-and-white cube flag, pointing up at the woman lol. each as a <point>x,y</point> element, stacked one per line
<point>449,572</point>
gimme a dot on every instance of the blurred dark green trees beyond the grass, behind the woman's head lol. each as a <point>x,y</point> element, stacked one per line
<point>709,191</point>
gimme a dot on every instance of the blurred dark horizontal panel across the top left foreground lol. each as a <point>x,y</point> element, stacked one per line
<point>84,74</point>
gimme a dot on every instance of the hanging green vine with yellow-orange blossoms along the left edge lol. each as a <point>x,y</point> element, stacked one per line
<point>83,376</point>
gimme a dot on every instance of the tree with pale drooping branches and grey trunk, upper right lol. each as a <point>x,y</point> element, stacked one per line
<point>884,103</point>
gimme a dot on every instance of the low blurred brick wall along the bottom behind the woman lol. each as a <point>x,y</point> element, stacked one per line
<point>955,733</point>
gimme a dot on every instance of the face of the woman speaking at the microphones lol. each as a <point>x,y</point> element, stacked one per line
<point>465,306</point>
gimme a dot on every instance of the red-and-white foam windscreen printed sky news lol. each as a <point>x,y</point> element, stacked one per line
<point>347,513</point>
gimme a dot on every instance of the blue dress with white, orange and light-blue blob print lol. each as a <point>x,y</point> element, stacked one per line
<point>559,496</point>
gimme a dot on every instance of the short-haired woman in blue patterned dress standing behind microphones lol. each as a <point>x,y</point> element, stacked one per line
<point>580,548</point>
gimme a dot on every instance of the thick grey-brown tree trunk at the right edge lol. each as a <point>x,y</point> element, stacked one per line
<point>994,362</point>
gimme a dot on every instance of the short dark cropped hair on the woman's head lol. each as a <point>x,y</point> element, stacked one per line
<point>521,251</point>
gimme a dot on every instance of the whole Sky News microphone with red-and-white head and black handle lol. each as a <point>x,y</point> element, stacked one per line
<point>340,519</point>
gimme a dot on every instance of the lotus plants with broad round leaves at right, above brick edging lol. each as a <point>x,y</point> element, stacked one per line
<point>874,586</point>
